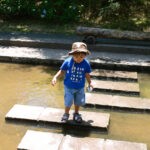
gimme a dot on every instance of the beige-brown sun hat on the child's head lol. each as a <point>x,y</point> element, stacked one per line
<point>79,47</point>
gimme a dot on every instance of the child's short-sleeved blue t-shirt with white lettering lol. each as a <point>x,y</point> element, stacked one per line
<point>75,73</point>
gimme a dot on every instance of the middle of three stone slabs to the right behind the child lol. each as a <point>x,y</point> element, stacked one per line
<point>119,87</point>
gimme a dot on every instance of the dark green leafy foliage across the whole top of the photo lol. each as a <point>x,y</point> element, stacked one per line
<point>121,14</point>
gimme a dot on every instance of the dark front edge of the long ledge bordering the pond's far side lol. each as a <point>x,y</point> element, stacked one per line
<point>94,63</point>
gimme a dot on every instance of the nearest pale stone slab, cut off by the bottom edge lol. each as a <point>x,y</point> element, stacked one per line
<point>37,140</point>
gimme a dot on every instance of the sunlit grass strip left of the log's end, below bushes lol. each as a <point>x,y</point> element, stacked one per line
<point>36,26</point>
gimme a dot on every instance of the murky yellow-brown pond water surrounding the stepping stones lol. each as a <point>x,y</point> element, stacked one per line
<point>30,85</point>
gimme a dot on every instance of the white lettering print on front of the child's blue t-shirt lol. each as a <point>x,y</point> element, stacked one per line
<point>76,74</point>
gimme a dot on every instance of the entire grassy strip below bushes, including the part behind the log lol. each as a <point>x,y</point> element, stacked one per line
<point>40,26</point>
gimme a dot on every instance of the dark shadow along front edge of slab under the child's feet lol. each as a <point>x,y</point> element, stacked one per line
<point>83,129</point>
